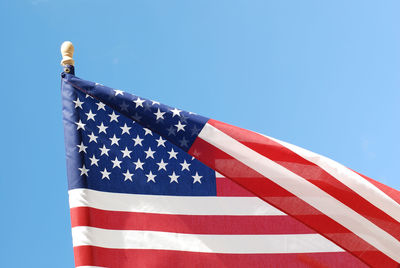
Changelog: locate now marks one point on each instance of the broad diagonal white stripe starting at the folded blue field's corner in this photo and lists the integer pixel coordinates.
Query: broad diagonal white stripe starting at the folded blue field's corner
(305, 191)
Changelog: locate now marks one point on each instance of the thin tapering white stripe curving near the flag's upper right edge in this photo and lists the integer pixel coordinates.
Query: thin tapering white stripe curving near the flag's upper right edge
(351, 179)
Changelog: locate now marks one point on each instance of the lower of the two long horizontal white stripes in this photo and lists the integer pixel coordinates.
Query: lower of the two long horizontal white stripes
(132, 239)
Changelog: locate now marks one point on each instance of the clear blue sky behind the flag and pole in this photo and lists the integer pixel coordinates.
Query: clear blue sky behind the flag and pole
(324, 75)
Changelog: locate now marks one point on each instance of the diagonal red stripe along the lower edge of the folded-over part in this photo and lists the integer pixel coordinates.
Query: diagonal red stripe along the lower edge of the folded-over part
(288, 203)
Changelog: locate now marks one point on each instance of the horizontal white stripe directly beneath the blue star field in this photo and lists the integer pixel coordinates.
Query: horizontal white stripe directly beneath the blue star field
(183, 205)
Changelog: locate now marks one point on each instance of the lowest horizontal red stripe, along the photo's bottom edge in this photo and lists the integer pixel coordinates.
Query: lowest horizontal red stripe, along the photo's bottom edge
(124, 258)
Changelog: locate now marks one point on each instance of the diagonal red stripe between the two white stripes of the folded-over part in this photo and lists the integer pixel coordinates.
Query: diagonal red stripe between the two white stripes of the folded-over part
(312, 173)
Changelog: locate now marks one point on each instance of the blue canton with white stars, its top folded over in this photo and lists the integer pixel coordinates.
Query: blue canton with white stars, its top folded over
(117, 146)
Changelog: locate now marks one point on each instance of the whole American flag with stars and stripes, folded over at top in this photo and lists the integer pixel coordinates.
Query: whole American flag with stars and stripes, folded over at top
(155, 186)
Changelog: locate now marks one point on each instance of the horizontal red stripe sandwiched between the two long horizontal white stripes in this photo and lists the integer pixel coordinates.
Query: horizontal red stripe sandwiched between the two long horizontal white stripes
(189, 224)
